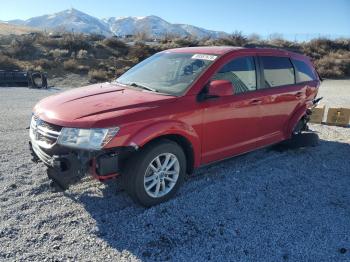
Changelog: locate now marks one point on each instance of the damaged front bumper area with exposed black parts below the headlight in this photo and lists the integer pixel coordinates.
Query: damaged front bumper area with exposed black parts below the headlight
(67, 166)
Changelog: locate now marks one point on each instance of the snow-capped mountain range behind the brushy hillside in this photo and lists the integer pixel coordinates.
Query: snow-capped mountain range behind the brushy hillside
(77, 21)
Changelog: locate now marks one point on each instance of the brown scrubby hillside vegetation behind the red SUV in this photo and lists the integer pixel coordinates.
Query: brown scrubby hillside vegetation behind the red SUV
(106, 58)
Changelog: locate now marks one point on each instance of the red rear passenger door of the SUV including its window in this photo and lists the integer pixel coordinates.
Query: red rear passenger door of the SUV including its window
(279, 96)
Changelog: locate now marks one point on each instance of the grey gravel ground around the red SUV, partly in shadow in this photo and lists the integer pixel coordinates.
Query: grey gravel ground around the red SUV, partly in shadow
(262, 206)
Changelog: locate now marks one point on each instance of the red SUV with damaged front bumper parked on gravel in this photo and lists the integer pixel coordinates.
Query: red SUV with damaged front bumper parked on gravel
(175, 111)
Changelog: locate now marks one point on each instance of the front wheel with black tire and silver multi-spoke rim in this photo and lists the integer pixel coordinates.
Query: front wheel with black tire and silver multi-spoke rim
(155, 173)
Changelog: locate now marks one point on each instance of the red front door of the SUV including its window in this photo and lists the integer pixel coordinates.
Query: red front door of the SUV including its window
(230, 124)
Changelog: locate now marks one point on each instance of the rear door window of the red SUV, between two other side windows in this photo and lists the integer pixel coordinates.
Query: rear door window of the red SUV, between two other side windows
(278, 71)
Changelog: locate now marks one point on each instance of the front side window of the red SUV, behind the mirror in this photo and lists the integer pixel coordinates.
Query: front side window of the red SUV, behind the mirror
(241, 72)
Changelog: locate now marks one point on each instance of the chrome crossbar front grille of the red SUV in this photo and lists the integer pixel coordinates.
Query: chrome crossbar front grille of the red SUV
(44, 134)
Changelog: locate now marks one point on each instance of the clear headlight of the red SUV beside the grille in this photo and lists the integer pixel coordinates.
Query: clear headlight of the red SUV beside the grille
(93, 139)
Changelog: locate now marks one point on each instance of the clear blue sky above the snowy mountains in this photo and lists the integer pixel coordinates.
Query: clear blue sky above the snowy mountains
(291, 18)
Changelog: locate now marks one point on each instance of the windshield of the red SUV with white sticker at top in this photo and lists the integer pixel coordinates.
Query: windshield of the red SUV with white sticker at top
(170, 73)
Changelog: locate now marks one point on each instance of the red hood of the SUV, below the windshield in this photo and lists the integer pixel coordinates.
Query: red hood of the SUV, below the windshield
(85, 106)
